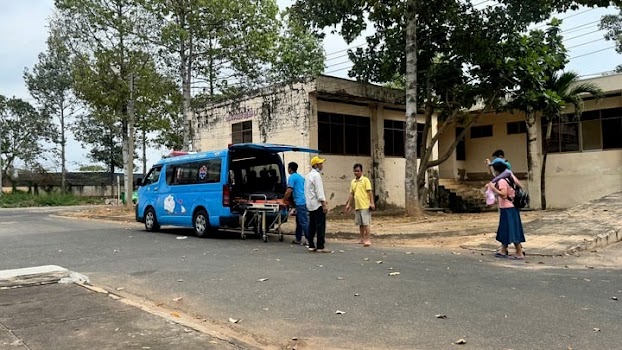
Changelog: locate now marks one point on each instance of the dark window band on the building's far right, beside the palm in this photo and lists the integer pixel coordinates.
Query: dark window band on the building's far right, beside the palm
(594, 130)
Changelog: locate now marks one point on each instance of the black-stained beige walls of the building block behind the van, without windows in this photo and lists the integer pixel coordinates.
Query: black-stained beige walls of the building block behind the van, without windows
(291, 114)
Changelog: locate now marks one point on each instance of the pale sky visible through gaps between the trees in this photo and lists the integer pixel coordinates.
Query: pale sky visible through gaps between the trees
(23, 33)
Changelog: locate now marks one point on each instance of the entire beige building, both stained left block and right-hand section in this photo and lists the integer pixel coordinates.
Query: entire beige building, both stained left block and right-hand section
(351, 122)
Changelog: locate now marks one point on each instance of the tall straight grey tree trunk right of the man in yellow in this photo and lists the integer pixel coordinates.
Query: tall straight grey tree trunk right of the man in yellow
(412, 204)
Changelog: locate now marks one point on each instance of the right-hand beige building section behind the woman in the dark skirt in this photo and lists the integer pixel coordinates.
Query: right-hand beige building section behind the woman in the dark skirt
(584, 159)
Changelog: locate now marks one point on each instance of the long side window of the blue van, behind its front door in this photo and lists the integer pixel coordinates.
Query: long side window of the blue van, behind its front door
(205, 171)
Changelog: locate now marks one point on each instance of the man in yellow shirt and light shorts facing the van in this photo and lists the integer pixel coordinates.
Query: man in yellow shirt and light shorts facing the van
(361, 194)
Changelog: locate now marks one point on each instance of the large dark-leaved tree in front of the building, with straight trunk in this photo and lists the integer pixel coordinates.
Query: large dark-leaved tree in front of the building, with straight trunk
(412, 38)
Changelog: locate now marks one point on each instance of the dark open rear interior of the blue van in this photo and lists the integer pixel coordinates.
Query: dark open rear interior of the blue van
(256, 173)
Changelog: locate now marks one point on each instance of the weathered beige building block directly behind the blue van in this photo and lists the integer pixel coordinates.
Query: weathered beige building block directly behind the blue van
(349, 122)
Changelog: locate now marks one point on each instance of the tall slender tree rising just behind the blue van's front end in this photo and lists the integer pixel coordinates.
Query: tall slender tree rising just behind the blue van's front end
(111, 62)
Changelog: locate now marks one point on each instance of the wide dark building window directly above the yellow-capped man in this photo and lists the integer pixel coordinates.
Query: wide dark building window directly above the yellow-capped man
(344, 134)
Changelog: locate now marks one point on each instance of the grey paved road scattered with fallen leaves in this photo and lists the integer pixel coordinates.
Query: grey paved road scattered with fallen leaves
(552, 303)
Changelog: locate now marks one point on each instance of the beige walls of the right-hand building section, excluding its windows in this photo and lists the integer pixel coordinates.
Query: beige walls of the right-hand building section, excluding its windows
(571, 177)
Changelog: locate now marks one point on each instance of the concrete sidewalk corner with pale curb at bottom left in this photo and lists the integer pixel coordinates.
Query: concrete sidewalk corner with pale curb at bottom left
(37, 312)
